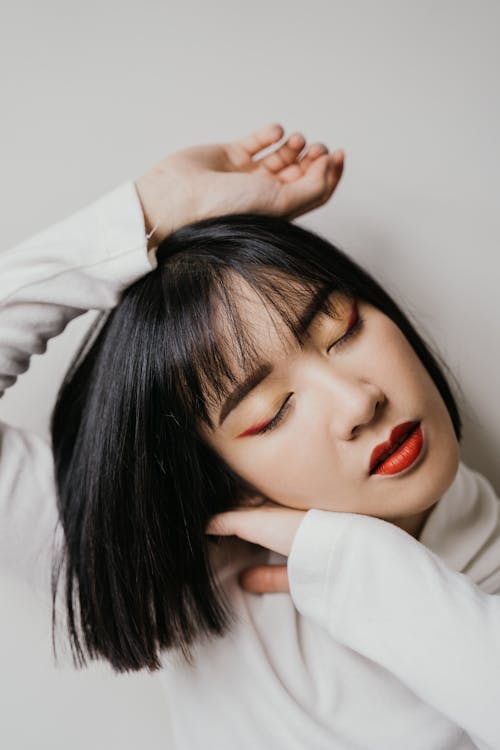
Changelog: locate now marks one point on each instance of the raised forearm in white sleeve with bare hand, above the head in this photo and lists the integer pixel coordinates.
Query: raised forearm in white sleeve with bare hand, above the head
(87, 260)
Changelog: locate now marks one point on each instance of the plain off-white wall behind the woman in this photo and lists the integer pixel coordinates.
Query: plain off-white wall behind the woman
(94, 93)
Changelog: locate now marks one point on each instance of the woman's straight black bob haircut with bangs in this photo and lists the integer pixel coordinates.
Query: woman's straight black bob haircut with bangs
(136, 484)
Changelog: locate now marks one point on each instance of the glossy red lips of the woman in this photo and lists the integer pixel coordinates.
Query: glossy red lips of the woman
(400, 451)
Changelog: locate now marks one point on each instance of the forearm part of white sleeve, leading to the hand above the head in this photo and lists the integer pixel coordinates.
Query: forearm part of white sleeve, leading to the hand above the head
(79, 264)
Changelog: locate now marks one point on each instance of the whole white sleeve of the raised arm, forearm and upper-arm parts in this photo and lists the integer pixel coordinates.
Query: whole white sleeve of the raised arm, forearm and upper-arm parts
(79, 264)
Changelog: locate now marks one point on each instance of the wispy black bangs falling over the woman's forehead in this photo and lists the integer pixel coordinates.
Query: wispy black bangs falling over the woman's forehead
(214, 345)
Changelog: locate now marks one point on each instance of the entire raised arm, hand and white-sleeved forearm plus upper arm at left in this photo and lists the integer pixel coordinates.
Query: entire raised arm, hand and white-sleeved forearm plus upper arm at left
(85, 262)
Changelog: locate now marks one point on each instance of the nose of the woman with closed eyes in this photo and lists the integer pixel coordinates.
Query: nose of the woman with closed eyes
(354, 404)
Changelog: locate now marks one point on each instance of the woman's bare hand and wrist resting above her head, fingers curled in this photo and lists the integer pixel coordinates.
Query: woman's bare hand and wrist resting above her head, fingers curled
(230, 178)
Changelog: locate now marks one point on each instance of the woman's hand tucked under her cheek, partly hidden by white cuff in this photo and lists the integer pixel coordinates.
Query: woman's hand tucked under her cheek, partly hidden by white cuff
(269, 525)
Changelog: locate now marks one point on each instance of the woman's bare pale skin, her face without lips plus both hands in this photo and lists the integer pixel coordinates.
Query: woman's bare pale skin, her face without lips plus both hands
(344, 402)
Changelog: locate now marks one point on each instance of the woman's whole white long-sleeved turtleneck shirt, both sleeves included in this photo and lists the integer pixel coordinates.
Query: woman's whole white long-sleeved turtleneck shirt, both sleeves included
(383, 643)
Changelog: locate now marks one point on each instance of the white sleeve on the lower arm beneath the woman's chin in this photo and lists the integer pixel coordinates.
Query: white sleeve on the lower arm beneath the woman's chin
(377, 590)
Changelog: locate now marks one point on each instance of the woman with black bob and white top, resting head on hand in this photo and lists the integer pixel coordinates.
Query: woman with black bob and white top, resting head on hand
(153, 434)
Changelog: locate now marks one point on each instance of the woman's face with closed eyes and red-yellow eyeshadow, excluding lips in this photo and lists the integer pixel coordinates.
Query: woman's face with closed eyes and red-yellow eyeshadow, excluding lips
(342, 399)
